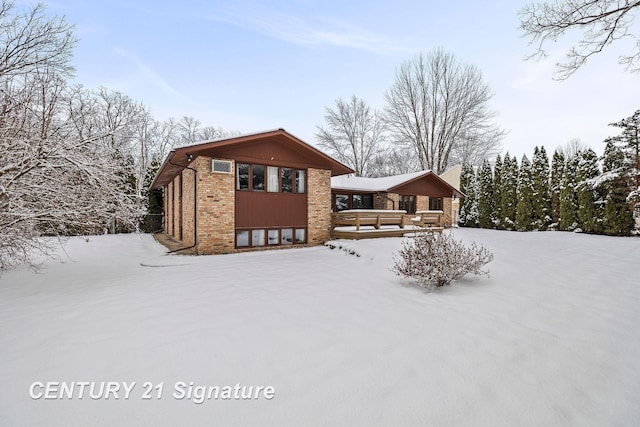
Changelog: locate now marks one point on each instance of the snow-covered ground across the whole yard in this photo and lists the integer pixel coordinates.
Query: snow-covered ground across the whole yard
(551, 338)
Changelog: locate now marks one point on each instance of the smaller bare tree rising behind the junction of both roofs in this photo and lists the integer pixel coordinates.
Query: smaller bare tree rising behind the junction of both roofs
(354, 133)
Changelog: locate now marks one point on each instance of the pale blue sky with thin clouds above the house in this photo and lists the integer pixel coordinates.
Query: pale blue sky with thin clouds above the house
(251, 66)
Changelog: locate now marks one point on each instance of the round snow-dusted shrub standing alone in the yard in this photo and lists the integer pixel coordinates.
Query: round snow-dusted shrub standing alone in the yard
(436, 259)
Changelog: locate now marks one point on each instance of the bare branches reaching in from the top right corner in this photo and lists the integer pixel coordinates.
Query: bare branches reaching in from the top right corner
(600, 22)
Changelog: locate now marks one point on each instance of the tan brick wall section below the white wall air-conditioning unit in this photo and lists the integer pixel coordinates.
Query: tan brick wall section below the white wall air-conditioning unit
(216, 209)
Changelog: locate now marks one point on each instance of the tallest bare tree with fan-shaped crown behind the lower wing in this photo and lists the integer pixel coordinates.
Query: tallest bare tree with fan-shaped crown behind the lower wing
(439, 107)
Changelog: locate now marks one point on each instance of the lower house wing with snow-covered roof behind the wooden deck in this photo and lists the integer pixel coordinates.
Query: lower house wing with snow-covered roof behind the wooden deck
(418, 191)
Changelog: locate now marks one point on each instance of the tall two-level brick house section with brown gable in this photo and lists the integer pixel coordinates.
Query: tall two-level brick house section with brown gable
(251, 191)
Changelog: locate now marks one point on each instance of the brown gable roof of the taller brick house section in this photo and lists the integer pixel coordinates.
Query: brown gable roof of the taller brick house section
(180, 157)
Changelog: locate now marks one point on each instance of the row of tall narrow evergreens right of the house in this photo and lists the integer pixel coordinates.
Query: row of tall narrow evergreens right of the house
(571, 194)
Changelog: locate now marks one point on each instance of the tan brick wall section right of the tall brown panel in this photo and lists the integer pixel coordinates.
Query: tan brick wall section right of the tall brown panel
(318, 206)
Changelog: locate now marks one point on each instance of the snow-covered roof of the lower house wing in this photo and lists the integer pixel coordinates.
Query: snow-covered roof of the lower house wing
(387, 184)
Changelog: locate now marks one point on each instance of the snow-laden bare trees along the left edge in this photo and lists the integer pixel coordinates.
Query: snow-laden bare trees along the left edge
(62, 149)
